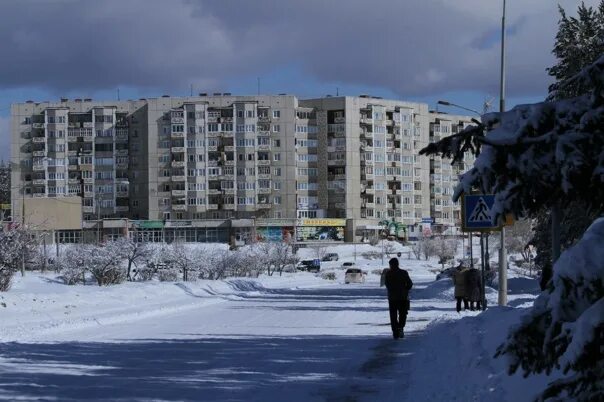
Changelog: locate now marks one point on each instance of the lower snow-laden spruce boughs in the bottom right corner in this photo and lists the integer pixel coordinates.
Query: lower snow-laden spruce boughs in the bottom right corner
(565, 328)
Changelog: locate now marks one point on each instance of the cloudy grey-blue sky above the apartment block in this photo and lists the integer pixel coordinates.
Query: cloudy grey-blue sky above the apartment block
(421, 50)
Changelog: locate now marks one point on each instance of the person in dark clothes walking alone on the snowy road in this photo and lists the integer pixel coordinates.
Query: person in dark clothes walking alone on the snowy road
(398, 284)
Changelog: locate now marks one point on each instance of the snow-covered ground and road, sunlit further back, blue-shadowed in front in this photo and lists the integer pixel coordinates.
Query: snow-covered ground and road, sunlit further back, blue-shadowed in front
(296, 337)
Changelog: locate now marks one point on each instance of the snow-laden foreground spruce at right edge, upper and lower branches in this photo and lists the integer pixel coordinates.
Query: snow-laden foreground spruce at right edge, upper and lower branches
(533, 157)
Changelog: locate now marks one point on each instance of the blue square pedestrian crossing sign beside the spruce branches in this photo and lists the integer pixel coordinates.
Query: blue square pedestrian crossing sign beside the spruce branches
(476, 211)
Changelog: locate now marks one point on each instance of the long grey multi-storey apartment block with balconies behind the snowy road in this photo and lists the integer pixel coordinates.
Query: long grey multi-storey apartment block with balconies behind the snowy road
(210, 168)
